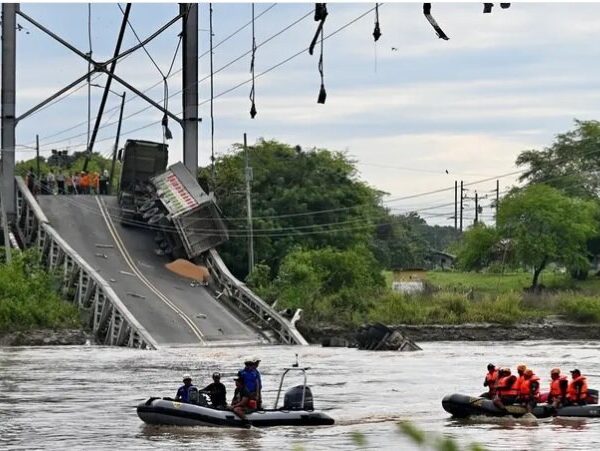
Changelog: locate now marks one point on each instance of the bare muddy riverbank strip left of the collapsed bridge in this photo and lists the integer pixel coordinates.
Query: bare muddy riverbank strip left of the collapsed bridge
(45, 337)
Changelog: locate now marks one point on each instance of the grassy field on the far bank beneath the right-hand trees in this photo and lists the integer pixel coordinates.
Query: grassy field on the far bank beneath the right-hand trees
(457, 298)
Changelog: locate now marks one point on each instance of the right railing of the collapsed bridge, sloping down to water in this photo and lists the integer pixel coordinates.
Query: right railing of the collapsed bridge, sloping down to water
(246, 301)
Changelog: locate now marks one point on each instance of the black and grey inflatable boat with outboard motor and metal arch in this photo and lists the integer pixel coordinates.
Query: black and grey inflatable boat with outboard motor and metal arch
(297, 410)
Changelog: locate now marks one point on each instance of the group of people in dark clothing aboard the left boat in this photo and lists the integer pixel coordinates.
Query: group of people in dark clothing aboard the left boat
(247, 395)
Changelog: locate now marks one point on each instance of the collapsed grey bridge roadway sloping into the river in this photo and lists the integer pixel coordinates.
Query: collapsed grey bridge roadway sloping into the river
(173, 311)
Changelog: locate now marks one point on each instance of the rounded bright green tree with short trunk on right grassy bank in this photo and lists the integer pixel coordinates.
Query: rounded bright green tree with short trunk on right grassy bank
(545, 226)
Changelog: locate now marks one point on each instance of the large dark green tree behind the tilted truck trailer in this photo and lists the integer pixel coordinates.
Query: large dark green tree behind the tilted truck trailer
(300, 198)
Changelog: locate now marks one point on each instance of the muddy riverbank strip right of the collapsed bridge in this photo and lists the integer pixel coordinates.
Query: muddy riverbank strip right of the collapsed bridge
(545, 330)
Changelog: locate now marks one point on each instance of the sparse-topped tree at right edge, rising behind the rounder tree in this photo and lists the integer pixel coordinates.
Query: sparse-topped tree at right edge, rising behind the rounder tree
(571, 164)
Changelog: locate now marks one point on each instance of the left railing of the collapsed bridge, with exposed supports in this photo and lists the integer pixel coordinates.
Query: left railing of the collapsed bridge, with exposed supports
(109, 319)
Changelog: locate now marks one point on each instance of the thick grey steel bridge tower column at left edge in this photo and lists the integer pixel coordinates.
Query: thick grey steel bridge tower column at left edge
(8, 119)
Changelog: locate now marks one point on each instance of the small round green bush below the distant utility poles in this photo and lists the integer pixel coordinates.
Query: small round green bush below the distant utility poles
(478, 248)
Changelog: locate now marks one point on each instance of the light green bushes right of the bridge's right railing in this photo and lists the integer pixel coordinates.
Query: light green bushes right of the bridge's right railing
(329, 284)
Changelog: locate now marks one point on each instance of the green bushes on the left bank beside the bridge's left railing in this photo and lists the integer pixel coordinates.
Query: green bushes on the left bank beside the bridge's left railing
(28, 297)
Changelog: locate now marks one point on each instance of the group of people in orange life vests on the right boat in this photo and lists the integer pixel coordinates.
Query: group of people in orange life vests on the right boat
(504, 388)
